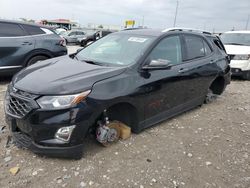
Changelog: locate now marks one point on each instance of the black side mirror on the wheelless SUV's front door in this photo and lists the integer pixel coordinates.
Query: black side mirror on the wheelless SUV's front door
(158, 65)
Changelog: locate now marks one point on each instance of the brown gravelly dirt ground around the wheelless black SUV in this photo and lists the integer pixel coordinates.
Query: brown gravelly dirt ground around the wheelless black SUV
(206, 147)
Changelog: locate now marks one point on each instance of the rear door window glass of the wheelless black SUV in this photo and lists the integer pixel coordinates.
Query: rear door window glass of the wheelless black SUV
(195, 47)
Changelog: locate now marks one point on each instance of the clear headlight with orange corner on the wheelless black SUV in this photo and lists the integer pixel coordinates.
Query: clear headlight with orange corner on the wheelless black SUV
(61, 102)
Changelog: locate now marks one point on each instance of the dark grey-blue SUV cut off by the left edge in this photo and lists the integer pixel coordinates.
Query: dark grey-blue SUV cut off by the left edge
(23, 44)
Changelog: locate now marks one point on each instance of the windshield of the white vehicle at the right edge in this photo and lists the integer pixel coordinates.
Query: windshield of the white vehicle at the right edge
(236, 38)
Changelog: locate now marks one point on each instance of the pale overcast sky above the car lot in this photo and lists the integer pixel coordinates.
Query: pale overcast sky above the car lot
(218, 15)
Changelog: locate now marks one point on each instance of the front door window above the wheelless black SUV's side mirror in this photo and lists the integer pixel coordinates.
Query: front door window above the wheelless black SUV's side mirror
(168, 49)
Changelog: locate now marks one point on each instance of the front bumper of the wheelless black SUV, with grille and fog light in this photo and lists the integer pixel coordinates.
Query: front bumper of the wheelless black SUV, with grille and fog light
(56, 133)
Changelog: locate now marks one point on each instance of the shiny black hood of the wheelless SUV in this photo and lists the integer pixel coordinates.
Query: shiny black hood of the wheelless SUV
(62, 75)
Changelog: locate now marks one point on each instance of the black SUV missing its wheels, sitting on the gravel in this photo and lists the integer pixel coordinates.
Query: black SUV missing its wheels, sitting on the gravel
(136, 77)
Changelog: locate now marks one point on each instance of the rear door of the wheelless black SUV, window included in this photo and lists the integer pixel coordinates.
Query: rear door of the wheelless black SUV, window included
(199, 66)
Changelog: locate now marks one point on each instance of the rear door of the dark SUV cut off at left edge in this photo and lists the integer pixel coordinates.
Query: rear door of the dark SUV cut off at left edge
(15, 44)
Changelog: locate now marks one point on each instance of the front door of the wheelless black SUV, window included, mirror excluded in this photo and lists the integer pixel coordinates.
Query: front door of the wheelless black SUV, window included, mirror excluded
(165, 90)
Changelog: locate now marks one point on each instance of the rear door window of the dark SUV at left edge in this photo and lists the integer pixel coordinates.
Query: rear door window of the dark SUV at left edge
(11, 30)
